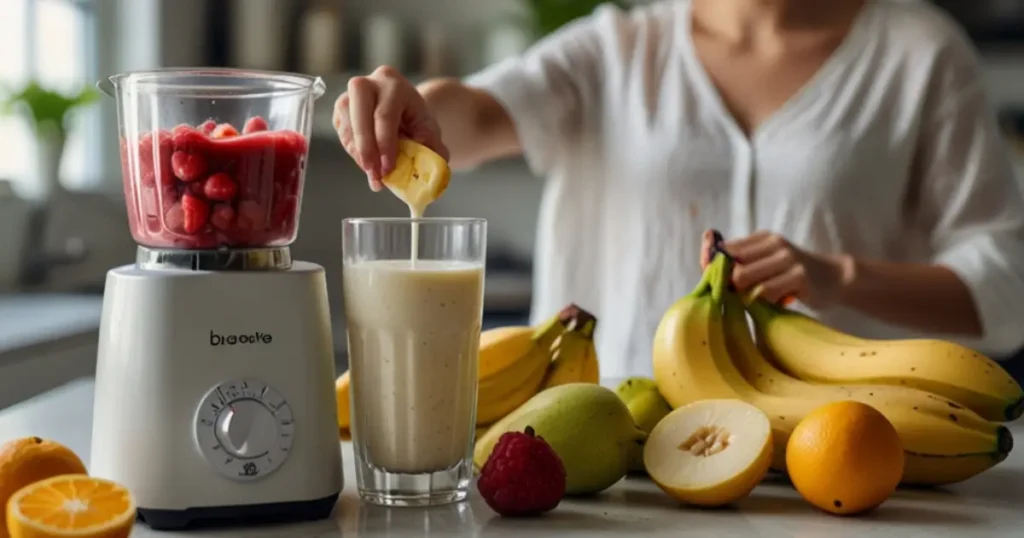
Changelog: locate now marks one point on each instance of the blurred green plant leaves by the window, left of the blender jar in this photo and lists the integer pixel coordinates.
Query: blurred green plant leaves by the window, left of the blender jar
(47, 109)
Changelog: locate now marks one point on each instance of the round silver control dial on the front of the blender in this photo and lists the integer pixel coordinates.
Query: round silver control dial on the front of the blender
(244, 430)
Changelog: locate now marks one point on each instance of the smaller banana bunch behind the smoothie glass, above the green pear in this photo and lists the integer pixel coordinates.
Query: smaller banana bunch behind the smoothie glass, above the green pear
(517, 363)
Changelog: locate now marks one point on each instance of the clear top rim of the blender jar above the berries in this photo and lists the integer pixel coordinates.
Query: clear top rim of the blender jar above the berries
(215, 84)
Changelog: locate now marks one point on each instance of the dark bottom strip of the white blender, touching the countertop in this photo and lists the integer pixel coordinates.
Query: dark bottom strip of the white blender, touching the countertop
(160, 520)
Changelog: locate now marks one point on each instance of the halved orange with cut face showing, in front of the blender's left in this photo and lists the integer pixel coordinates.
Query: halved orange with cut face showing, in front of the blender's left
(72, 506)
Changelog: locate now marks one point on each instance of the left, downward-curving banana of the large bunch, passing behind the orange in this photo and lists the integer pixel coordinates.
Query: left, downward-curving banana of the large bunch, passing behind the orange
(692, 360)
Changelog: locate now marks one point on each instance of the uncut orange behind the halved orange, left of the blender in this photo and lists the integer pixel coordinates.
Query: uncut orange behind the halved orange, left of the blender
(26, 461)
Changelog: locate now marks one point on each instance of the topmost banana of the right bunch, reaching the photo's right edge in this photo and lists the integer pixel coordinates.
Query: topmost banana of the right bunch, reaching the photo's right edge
(814, 352)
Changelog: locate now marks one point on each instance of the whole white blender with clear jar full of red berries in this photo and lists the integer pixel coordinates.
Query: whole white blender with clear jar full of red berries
(215, 396)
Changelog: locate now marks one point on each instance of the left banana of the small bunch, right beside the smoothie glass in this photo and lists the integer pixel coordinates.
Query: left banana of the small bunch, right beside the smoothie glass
(517, 365)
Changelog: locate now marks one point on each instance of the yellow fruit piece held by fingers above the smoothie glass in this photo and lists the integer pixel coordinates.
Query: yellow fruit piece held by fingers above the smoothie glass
(420, 176)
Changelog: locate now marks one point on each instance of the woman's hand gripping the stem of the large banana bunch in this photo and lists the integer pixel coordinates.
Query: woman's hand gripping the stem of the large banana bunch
(772, 268)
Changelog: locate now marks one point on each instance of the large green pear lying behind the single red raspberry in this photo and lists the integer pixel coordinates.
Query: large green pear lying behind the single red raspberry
(586, 425)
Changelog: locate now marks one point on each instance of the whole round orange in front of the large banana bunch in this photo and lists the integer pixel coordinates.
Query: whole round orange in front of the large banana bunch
(845, 459)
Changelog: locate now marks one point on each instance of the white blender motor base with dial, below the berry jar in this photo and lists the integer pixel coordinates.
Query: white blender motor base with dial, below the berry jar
(215, 397)
